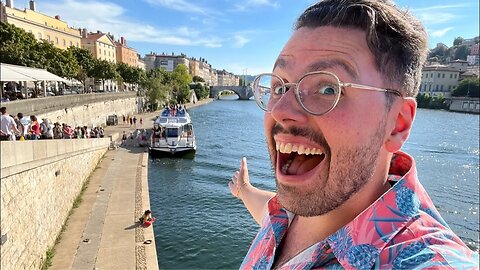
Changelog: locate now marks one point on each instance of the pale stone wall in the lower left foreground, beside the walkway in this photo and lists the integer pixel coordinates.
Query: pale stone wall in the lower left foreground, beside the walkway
(39, 183)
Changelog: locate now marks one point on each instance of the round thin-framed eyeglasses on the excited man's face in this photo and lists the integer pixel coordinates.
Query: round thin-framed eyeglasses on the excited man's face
(317, 92)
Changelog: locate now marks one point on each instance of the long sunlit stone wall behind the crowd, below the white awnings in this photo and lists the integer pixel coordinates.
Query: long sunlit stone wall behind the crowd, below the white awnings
(78, 110)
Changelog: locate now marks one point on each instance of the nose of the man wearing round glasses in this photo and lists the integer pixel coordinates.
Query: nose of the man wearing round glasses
(288, 110)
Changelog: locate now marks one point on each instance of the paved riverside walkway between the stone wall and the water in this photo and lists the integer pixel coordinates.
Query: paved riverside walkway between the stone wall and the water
(104, 231)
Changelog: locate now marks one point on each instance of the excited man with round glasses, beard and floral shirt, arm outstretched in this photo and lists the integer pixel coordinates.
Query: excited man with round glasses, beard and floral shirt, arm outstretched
(339, 106)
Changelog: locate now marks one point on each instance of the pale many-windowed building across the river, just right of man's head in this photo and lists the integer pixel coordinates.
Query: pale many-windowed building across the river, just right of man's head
(439, 80)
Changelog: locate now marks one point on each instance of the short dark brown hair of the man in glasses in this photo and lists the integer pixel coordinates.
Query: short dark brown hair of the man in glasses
(396, 39)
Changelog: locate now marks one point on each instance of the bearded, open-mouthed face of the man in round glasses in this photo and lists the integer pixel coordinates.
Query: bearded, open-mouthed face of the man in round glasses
(321, 161)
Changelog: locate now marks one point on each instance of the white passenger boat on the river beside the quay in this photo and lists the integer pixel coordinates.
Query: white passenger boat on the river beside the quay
(172, 134)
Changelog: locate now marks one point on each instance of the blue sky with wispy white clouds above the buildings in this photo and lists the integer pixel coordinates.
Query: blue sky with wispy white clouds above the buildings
(240, 36)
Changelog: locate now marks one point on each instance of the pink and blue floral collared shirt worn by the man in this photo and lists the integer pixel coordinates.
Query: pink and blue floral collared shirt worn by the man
(400, 230)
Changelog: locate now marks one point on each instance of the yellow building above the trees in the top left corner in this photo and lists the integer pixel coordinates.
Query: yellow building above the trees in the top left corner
(43, 27)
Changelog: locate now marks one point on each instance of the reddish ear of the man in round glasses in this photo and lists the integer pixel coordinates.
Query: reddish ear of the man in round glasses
(403, 125)
